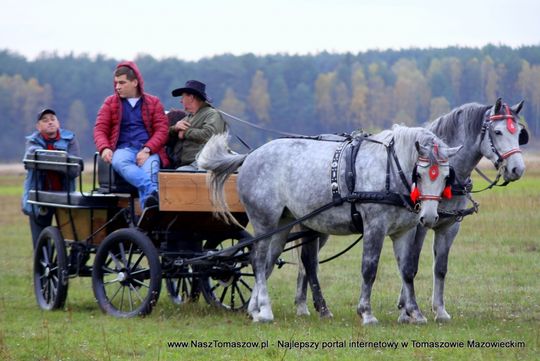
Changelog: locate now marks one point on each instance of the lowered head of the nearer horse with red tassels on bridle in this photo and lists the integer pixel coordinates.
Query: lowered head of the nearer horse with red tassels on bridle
(432, 178)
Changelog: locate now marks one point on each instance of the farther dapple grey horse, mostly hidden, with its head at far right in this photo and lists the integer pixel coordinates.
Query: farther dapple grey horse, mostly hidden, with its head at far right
(484, 131)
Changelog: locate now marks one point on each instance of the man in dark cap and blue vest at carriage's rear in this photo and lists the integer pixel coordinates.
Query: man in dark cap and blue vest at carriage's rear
(48, 135)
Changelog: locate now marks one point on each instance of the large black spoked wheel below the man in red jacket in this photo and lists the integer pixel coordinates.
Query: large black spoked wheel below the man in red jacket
(126, 276)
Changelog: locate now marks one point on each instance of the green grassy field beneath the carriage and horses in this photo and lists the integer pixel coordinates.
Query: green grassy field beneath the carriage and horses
(493, 294)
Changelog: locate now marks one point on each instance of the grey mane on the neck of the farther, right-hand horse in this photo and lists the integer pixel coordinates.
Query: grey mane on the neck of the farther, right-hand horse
(470, 116)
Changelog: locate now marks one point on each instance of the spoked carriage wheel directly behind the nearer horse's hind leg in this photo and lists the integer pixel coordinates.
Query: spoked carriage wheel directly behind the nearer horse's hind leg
(229, 285)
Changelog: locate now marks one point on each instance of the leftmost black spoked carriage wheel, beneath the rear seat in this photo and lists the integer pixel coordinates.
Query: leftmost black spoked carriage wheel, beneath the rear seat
(50, 270)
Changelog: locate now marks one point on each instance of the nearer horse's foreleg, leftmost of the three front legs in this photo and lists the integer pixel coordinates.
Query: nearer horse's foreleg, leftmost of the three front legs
(373, 242)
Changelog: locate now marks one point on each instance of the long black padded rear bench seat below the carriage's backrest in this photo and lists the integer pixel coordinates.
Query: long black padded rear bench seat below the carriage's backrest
(64, 199)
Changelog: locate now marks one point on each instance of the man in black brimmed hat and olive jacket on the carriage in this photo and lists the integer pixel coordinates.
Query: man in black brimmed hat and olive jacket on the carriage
(192, 132)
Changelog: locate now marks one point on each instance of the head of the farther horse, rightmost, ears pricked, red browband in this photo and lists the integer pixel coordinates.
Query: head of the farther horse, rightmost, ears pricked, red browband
(501, 137)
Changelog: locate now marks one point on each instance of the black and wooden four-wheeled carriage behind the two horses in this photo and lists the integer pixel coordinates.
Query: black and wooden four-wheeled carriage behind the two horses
(103, 234)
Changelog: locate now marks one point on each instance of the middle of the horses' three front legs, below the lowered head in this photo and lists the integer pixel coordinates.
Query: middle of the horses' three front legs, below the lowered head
(407, 248)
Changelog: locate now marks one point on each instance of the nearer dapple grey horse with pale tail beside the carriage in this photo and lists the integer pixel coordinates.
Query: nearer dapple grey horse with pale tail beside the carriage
(286, 179)
